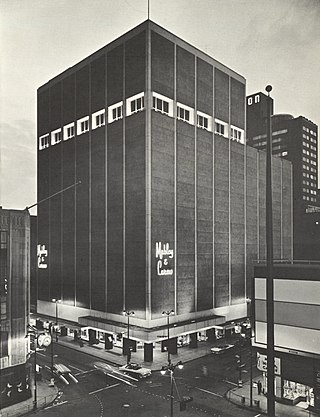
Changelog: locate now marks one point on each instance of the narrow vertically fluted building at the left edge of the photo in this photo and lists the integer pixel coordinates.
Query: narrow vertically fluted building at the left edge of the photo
(14, 303)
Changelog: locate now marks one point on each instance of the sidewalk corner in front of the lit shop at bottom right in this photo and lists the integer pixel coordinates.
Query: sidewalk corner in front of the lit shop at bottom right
(241, 397)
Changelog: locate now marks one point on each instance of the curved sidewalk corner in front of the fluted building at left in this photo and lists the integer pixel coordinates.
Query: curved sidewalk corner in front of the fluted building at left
(45, 396)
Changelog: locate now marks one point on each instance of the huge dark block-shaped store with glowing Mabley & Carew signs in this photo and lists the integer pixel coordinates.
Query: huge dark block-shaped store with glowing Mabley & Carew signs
(169, 212)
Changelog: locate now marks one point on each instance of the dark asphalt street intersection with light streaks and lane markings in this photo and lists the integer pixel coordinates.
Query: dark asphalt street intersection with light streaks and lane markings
(96, 395)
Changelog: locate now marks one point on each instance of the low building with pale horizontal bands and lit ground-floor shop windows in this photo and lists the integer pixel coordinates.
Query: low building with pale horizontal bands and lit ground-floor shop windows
(296, 331)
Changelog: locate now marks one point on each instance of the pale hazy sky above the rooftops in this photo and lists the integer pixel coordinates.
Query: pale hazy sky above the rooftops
(273, 42)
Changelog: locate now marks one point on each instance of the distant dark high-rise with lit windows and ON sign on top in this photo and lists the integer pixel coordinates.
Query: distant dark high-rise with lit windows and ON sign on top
(294, 139)
